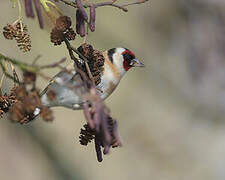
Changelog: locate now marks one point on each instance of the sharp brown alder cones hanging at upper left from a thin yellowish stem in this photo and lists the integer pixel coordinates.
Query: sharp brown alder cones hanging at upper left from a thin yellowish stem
(18, 31)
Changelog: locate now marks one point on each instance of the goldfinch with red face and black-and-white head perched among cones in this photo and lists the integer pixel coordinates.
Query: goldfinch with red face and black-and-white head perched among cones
(117, 62)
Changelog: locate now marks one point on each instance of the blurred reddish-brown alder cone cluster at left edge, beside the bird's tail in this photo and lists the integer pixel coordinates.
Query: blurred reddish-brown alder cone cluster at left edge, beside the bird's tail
(22, 102)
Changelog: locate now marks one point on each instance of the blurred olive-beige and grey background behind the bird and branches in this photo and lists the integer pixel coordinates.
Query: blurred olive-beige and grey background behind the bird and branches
(170, 114)
